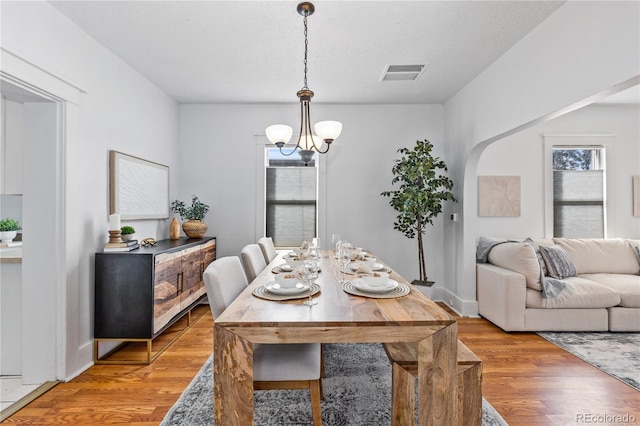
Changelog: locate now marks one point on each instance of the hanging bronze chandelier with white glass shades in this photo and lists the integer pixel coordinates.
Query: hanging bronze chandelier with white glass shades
(326, 131)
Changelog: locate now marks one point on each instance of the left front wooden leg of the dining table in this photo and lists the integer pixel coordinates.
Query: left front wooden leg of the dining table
(232, 379)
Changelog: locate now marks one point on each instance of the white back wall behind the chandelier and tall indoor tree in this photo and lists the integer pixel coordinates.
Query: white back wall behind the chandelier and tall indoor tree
(218, 163)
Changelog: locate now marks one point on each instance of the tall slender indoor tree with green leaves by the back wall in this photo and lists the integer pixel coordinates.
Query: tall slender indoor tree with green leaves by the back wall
(423, 189)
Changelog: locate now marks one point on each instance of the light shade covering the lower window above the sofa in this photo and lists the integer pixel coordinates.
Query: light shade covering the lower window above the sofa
(578, 203)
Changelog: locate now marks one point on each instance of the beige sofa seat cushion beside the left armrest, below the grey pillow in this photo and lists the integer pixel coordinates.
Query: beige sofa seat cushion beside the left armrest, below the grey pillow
(579, 293)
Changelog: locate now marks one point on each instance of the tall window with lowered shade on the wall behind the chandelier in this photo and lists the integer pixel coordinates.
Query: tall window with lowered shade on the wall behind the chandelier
(291, 199)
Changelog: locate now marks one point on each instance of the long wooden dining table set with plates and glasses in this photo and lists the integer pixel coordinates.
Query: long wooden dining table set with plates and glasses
(339, 317)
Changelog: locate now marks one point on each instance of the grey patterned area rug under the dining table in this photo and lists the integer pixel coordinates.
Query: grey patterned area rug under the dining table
(356, 389)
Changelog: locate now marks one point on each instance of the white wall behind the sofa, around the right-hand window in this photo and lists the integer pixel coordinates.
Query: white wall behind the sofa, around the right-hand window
(522, 155)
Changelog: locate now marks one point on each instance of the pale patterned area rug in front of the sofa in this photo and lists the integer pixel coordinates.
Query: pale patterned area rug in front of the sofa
(617, 354)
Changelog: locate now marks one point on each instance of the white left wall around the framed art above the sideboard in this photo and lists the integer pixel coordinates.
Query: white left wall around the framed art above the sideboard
(120, 110)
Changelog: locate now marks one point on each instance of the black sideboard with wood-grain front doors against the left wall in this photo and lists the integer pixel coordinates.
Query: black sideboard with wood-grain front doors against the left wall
(139, 294)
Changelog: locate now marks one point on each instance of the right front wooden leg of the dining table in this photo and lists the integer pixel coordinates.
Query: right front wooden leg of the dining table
(437, 378)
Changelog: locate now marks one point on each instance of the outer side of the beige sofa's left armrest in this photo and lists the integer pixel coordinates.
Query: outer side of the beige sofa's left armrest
(501, 296)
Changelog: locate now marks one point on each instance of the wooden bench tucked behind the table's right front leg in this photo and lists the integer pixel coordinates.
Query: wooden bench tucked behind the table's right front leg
(403, 358)
